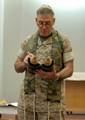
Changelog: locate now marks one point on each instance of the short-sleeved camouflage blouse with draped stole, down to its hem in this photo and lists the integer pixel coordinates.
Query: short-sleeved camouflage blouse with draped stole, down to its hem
(37, 91)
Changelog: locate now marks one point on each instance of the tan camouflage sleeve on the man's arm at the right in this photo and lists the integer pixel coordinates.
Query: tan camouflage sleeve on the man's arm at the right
(68, 53)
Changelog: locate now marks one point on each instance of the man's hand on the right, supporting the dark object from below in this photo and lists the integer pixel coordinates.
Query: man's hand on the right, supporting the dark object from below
(47, 75)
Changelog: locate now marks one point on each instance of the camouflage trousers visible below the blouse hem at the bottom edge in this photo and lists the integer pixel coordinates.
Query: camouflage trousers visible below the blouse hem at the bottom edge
(40, 116)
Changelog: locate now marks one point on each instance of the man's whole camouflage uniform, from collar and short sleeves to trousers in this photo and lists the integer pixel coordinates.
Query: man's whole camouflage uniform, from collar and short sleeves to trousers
(43, 99)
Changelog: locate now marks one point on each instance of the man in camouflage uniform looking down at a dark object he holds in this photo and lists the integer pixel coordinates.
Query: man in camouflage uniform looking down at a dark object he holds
(42, 92)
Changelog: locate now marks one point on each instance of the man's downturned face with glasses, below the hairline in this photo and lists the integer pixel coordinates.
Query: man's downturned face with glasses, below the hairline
(45, 24)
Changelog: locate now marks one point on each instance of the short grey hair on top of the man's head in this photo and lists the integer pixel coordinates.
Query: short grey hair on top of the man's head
(44, 10)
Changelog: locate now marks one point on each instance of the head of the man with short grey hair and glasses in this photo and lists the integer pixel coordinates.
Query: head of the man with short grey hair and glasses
(45, 20)
